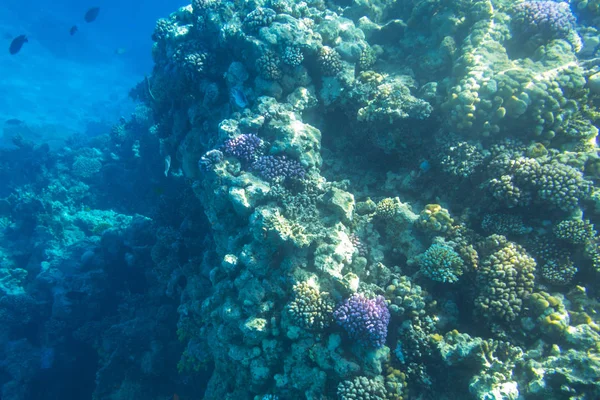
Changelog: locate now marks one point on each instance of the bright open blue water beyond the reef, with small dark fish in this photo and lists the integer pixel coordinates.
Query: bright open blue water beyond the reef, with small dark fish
(60, 83)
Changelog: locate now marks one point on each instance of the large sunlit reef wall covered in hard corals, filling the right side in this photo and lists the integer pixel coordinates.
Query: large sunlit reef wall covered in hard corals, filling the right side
(498, 100)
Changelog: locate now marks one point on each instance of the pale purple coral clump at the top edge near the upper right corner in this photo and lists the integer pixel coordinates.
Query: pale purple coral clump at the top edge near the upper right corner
(553, 20)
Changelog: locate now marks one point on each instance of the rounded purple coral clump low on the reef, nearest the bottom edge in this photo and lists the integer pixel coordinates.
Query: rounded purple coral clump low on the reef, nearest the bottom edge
(365, 320)
